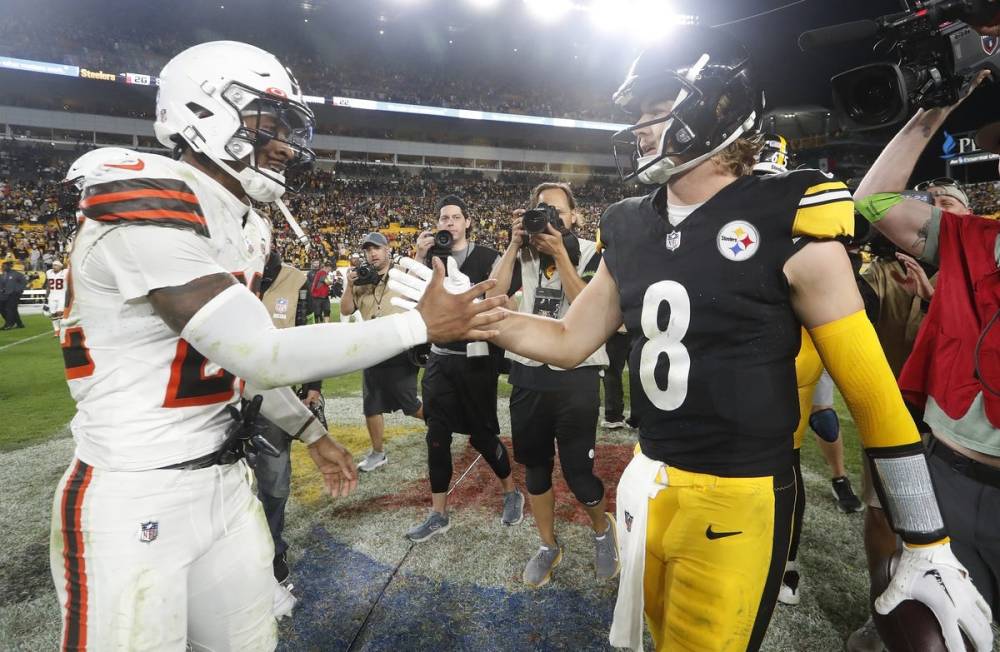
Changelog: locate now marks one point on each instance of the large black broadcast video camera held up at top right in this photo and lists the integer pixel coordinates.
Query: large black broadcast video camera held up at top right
(937, 57)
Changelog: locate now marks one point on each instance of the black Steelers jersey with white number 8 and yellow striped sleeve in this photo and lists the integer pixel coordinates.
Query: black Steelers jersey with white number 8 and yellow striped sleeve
(707, 305)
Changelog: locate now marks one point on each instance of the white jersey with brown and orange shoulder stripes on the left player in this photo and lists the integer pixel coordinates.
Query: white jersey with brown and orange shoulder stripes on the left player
(145, 399)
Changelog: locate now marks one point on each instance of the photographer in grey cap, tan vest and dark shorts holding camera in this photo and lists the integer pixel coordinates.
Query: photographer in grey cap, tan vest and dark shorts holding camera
(390, 385)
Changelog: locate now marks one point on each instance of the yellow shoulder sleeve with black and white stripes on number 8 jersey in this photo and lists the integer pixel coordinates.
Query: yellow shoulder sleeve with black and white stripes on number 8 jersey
(826, 209)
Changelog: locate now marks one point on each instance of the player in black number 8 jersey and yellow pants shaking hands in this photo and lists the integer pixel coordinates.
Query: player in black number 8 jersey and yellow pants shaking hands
(715, 272)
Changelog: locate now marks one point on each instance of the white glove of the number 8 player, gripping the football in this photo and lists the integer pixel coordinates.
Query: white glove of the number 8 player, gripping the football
(933, 576)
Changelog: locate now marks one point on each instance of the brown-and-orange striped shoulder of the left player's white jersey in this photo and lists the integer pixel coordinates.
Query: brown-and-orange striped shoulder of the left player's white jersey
(142, 190)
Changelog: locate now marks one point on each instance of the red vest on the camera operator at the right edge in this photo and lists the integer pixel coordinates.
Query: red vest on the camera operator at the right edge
(943, 361)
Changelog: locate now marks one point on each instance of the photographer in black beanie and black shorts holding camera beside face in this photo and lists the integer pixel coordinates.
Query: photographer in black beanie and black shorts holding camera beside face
(459, 386)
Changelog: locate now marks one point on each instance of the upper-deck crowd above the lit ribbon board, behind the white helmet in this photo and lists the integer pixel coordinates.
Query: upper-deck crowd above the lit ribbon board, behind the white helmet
(454, 83)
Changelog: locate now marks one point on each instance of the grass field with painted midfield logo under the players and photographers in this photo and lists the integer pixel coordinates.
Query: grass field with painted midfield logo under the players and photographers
(362, 586)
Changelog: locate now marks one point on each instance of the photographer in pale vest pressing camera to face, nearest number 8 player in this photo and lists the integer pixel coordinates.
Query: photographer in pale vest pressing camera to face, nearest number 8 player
(549, 405)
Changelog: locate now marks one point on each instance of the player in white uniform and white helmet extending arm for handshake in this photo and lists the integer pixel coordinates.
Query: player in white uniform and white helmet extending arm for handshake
(157, 539)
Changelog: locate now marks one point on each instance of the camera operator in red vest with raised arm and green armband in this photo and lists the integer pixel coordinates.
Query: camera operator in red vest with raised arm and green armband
(953, 371)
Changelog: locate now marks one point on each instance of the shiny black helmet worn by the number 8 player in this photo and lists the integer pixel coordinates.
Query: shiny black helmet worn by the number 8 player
(717, 98)
